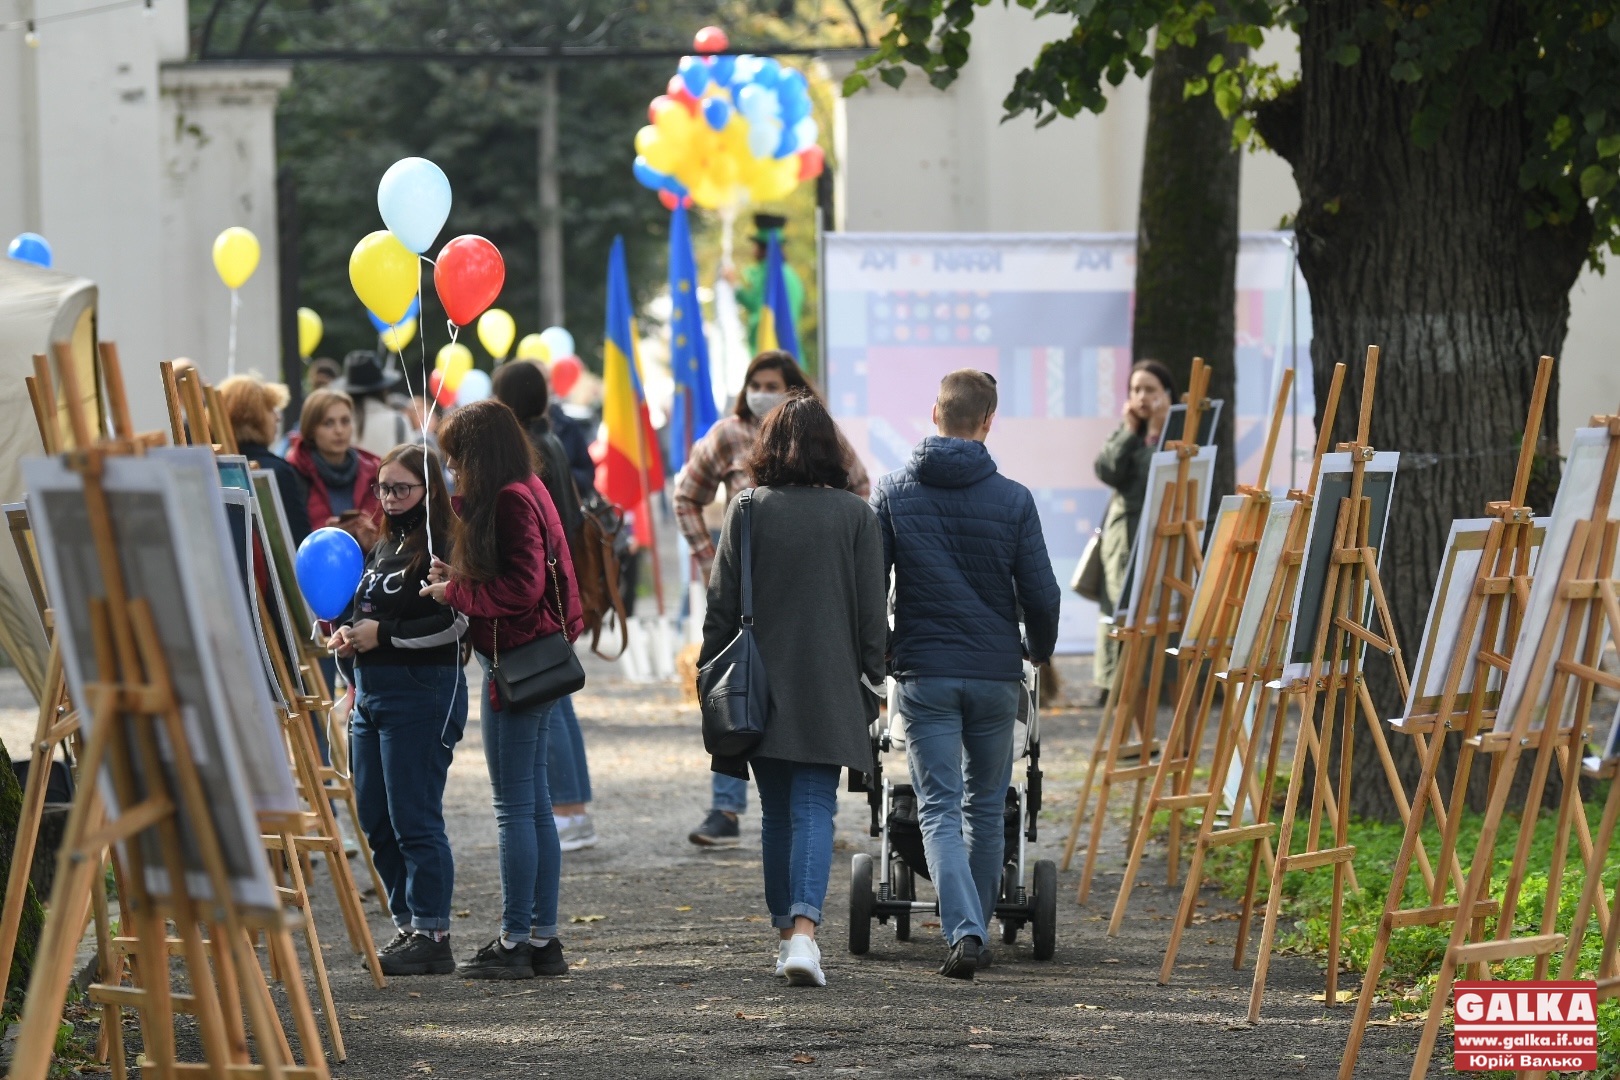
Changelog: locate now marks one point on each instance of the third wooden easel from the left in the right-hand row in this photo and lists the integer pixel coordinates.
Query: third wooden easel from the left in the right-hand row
(1251, 676)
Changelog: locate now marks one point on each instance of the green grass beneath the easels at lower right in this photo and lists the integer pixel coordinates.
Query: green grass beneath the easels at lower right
(1415, 953)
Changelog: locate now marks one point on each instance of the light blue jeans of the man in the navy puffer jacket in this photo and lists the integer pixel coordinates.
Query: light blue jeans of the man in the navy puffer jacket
(960, 749)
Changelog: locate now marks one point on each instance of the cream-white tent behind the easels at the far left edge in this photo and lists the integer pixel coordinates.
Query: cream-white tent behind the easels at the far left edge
(38, 310)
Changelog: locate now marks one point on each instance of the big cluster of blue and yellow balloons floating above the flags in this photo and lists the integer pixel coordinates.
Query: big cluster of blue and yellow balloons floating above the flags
(728, 129)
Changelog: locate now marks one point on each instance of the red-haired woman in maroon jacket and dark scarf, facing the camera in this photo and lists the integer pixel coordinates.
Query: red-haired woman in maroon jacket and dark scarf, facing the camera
(341, 475)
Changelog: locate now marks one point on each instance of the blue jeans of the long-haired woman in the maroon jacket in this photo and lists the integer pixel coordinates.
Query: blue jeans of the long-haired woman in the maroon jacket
(531, 856)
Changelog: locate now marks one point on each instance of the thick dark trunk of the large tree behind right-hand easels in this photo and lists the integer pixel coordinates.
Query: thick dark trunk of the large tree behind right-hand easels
(1425, 253)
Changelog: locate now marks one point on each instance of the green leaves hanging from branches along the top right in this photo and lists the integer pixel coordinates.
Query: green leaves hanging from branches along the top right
(1561, 74)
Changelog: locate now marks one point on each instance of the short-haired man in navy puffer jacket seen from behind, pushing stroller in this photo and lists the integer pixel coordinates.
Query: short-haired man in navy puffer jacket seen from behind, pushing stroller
(970, 561)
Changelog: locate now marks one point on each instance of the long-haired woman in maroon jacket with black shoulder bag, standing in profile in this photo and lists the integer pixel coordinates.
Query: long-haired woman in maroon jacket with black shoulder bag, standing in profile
(513, 577)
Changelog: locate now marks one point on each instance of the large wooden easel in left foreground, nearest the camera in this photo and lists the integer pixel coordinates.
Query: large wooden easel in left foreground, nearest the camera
(134, 715)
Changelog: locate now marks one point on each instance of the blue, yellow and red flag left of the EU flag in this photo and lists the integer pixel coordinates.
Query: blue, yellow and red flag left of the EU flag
(631, 467)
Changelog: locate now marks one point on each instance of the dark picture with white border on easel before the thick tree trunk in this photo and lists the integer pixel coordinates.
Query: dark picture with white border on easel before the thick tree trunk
(1332, 487)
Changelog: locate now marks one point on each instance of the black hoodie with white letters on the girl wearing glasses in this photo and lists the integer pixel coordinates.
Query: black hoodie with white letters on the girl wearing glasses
(412, 629)
